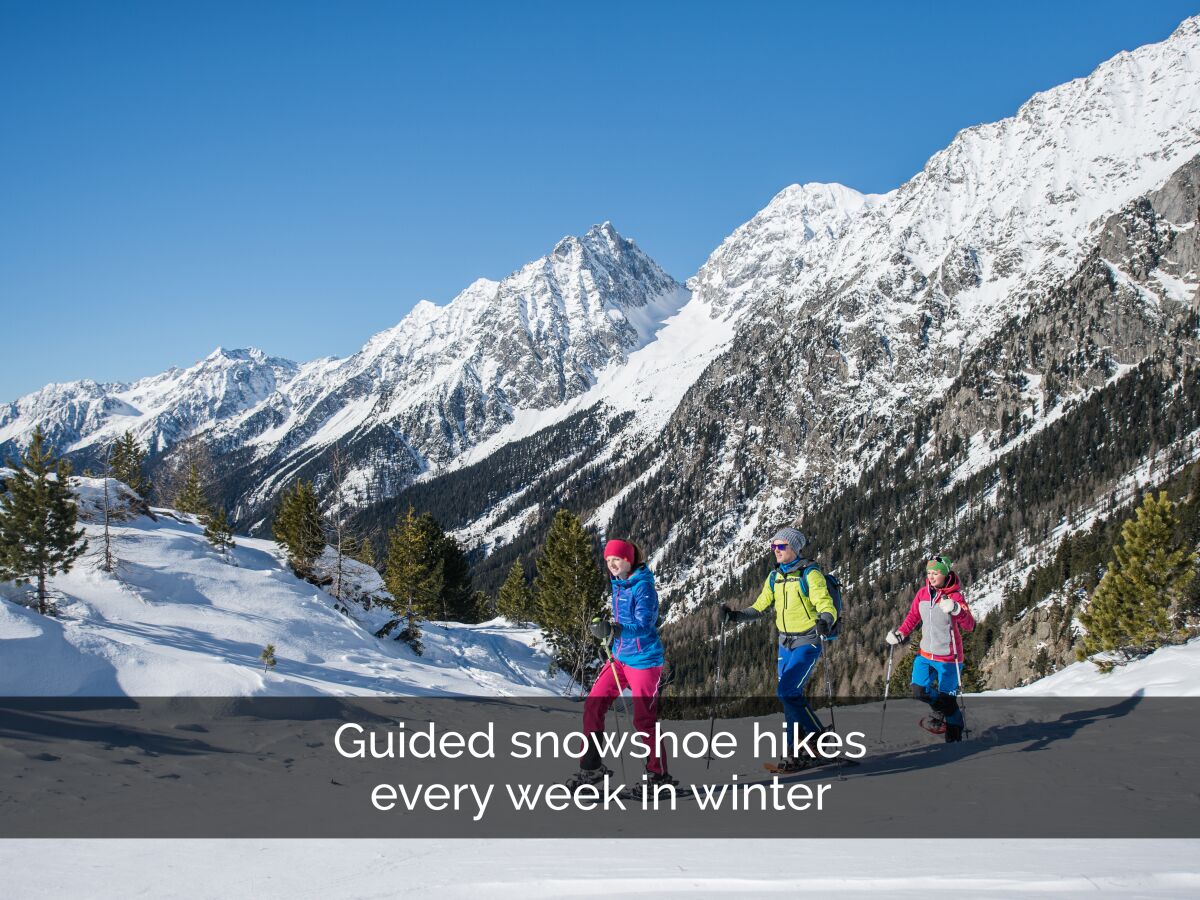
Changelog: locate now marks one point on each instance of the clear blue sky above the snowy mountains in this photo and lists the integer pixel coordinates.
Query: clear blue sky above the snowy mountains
(296, 176)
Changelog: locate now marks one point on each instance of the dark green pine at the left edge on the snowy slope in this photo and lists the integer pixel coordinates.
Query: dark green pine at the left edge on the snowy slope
(38, 520)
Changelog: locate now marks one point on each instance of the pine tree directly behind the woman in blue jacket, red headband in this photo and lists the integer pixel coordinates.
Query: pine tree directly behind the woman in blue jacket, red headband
(571, 591)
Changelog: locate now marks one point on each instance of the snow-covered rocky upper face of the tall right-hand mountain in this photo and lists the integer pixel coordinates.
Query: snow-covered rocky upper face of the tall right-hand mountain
(855, 314)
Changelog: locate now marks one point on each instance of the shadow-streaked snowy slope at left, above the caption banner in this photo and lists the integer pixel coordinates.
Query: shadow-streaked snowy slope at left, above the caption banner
(178, 620)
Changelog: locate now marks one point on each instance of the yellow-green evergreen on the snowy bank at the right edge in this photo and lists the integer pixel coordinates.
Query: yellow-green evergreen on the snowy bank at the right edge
(1137, 605)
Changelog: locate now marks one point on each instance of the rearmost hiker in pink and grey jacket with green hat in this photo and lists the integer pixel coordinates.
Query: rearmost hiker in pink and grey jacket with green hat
(944, 617)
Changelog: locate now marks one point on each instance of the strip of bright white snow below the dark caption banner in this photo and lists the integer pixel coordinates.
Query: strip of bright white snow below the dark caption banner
(503, 869)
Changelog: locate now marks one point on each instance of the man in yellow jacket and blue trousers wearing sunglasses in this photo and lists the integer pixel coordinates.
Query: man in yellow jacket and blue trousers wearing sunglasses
(805, 615)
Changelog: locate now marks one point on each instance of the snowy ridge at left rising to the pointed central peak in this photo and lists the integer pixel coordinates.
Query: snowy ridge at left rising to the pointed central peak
(412, 400)
